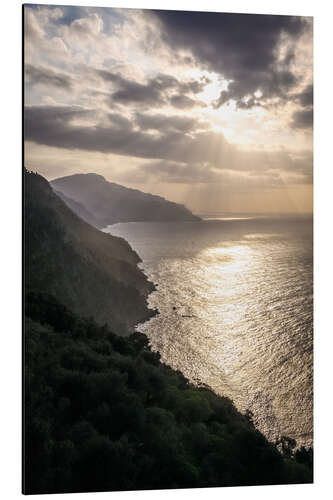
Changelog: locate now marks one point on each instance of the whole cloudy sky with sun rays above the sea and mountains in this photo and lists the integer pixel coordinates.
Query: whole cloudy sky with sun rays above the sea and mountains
(208, 109)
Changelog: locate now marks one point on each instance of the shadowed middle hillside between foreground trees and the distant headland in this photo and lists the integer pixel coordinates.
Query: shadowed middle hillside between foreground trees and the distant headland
(92, 273)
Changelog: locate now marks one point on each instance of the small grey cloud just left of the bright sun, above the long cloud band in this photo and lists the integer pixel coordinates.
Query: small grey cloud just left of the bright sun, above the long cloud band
(156, 92)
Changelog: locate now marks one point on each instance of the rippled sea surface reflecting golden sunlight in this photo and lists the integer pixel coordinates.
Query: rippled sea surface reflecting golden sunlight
(236, 310)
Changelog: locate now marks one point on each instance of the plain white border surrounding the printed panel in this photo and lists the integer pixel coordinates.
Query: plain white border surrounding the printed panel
(10, 363)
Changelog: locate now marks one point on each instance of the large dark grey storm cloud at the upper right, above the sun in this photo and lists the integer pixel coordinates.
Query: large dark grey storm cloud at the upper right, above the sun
(241, 47)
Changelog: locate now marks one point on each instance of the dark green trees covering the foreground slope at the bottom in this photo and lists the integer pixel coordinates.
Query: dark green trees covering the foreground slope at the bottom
(103, 413)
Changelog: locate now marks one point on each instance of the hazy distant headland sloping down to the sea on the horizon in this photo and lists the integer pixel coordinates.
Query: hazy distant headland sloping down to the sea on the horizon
(109, 202)
